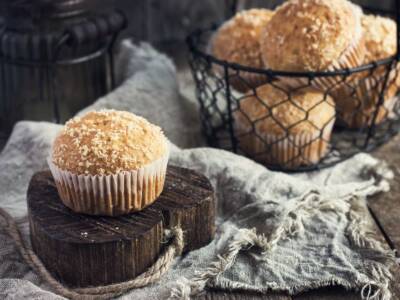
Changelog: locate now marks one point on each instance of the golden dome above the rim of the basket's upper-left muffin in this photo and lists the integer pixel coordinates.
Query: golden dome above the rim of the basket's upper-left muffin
(238, 40)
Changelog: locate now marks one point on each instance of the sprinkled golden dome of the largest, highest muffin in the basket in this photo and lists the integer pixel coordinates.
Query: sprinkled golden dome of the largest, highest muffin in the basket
(315, 37)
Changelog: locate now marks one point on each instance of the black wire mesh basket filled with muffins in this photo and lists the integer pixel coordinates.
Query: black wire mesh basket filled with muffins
(365, 118)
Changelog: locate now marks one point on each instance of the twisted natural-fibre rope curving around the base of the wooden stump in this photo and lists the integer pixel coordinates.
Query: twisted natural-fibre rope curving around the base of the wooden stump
(151, 275)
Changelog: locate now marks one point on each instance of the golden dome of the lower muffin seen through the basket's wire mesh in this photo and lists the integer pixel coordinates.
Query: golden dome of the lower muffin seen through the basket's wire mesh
(272, 111)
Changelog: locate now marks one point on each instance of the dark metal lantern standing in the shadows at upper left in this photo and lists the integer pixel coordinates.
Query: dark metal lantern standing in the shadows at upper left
(55, 58)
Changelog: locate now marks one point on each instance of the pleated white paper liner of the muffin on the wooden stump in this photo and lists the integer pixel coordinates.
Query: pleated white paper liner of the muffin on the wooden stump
(111, 195)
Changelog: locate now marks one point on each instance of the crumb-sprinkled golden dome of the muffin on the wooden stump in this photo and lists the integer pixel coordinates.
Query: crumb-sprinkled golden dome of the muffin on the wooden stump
(107, 142)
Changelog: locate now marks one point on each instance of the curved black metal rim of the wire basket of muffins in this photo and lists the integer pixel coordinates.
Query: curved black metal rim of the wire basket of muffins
(193, 43)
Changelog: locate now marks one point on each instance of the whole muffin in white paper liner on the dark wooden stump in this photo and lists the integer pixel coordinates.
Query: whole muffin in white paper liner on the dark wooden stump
(109, 163)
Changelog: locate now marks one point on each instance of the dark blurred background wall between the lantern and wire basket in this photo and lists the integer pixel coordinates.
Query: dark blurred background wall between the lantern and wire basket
(170, 20)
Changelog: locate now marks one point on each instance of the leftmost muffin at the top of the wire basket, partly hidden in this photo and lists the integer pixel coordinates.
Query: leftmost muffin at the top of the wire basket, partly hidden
(238, 41)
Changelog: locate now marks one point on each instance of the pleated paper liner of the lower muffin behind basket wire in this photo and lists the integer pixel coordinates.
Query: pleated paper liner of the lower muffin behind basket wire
(291, 151)
